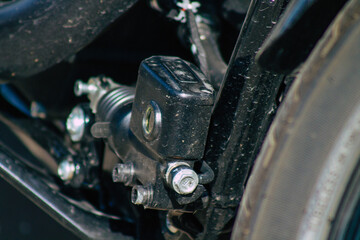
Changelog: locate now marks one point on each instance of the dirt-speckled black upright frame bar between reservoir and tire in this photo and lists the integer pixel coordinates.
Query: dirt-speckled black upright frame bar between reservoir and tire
(241, 117)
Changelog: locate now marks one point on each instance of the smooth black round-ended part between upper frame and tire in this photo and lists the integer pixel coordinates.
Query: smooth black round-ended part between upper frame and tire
(294, 37)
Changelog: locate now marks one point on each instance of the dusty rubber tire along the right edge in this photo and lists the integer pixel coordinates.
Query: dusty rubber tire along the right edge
(313, 145)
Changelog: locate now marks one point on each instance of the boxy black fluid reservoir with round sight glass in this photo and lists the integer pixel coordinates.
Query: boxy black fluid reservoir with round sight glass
(172, 108)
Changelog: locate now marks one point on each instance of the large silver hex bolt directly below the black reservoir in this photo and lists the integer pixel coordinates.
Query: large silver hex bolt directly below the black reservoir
(182, 178)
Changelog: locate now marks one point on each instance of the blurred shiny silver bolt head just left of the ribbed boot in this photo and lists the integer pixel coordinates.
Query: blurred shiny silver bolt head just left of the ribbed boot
(75, 124)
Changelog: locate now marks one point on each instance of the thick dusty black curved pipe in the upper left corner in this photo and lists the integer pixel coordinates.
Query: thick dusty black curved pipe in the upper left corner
(36, 34)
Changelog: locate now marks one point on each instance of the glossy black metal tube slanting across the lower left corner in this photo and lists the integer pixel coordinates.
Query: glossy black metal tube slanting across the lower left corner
(32, 185)
